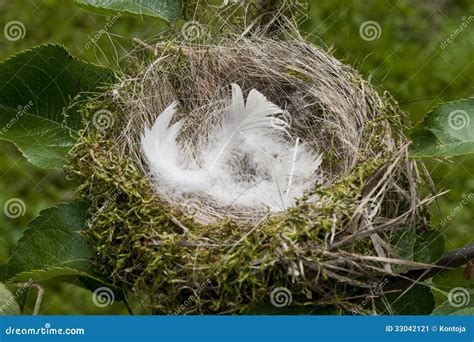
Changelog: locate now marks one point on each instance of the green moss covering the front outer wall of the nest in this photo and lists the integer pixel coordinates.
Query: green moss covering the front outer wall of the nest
(141, 248)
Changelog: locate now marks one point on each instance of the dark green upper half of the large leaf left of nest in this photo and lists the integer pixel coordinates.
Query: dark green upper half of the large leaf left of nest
(50, 78)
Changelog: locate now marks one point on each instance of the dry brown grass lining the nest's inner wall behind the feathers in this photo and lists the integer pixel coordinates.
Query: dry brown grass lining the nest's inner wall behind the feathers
(329, 105)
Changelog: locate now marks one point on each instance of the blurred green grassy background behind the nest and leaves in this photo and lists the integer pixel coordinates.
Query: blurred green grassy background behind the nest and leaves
(407, 59)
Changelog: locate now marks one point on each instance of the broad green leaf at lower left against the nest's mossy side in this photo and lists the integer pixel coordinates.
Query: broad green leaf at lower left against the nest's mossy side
(52, 246)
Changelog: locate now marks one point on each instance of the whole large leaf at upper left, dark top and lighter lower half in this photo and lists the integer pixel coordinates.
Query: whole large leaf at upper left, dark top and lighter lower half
(36, 87)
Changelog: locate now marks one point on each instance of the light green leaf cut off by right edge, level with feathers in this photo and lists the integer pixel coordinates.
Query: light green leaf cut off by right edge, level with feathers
(448, 130)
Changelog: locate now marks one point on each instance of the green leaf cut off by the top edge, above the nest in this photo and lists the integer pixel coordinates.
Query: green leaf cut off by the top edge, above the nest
(168, 10)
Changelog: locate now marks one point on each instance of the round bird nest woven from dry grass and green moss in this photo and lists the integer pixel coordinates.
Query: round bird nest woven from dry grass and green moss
(187, 251)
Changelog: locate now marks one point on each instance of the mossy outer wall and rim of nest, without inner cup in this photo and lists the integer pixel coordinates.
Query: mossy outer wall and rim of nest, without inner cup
(376, 191)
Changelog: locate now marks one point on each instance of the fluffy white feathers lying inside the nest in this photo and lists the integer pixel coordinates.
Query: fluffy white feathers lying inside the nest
(247, 160)
